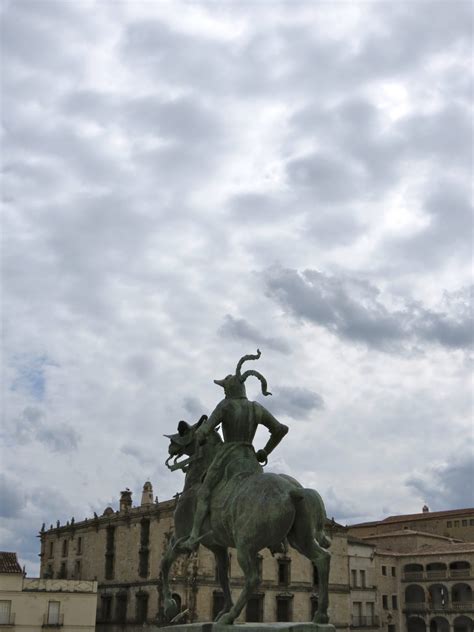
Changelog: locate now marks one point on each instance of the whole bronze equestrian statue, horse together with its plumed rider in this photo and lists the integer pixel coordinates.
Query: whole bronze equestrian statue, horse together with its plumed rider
(225, 483)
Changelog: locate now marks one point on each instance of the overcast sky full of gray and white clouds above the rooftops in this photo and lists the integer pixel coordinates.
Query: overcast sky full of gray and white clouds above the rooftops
(186, 182)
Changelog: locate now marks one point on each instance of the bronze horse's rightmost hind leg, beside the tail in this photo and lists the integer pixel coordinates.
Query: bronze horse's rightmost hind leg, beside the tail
(302, 538)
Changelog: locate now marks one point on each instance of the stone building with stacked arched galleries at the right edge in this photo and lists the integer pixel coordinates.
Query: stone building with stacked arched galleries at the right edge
(425, 581)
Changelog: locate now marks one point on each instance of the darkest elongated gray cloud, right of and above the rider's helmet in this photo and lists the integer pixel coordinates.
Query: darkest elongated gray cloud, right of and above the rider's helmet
(352, 309)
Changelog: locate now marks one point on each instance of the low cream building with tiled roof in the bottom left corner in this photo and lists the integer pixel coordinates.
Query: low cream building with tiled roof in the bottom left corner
(36, 604)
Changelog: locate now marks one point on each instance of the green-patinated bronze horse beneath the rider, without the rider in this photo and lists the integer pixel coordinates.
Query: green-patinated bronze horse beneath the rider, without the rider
(249, 510)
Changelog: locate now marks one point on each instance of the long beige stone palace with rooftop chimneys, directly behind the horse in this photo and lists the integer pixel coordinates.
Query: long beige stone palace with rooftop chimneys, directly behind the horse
(122, 550)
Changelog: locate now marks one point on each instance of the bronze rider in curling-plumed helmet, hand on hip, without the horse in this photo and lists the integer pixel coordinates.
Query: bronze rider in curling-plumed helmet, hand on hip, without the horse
(239, 418)
